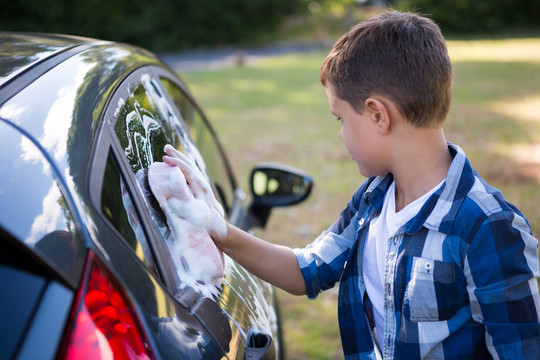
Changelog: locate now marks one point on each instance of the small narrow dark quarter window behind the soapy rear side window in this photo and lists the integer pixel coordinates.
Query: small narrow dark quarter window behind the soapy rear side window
(117, 206)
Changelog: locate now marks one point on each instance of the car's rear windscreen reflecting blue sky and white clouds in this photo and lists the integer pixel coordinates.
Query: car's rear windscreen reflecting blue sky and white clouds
(42, 217)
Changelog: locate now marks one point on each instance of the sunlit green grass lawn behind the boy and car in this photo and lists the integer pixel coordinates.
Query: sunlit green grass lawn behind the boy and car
(276, 110)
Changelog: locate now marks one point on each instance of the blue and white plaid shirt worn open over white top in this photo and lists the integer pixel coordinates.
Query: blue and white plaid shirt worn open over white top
(460, 276)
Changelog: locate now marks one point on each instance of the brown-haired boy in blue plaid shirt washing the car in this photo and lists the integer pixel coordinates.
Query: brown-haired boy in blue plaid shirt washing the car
(432, 262)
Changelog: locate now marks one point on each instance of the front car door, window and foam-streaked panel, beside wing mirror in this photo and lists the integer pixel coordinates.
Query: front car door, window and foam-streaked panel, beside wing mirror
(247, 299)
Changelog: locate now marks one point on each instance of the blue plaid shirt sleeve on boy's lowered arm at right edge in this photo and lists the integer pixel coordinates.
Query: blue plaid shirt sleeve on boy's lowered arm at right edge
(502, 270)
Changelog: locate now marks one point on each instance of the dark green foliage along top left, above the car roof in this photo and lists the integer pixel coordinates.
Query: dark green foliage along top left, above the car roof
(153, 24)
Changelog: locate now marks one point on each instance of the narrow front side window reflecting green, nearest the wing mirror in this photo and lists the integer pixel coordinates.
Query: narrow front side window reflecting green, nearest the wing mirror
(205, 141)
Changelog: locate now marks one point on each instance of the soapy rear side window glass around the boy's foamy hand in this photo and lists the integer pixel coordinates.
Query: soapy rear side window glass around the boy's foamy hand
(145, 123)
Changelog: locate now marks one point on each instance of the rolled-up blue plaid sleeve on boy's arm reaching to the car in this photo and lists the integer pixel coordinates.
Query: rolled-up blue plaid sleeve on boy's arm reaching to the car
(322, 262)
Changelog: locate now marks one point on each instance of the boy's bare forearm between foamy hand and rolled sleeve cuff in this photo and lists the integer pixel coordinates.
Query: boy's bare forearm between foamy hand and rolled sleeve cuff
(272, 263)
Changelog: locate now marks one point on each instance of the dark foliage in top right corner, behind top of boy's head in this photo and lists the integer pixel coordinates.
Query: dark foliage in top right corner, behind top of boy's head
(479, 16)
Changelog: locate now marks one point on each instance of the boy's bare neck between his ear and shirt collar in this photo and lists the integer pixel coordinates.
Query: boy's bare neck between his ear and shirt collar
(421, 161)
